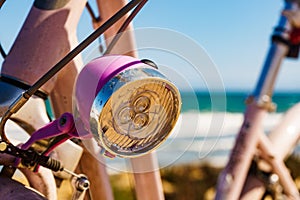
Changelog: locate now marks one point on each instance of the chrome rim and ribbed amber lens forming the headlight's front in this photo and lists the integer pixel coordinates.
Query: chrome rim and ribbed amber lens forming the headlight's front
(134, 112)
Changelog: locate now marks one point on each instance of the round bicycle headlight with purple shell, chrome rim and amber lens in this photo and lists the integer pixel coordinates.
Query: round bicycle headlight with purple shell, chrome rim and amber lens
(128, 106)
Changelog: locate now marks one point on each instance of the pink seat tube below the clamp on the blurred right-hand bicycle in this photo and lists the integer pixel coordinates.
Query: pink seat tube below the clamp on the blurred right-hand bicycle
(232, 178)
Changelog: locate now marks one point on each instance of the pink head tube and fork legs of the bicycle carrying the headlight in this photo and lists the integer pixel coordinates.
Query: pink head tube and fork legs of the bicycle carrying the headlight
(61, 96)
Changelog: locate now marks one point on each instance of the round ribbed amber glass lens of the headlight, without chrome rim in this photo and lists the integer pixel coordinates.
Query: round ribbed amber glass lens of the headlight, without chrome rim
(139, 115)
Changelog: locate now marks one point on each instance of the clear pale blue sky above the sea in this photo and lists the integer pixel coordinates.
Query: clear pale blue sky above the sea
(235, 35)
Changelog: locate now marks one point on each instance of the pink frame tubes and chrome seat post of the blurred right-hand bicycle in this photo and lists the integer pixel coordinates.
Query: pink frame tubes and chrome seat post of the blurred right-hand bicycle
(251, 138)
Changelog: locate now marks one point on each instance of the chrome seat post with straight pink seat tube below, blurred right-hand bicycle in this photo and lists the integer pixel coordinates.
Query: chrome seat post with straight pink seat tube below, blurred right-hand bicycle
(232, 178)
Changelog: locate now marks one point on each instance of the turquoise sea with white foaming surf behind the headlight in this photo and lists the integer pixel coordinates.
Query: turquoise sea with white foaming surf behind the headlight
(207, 127)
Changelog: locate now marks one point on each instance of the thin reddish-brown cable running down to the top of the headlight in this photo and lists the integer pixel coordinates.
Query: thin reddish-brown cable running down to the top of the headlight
(124, 26)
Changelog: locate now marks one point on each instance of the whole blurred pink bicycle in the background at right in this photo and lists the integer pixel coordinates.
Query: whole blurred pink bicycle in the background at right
(252, 147)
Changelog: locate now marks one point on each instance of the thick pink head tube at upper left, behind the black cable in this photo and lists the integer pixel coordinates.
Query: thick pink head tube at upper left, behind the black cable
(36, 56)
